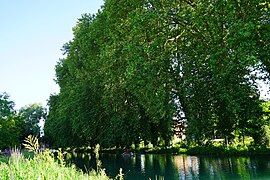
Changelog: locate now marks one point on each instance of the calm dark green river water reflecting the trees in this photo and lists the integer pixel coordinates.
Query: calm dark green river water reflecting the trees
(170, 167)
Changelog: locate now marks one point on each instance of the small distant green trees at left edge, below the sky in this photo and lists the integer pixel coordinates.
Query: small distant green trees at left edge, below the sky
(15, 126)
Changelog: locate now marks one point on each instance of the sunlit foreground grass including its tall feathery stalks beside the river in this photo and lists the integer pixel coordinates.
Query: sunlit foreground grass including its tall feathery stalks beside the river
(42, 165)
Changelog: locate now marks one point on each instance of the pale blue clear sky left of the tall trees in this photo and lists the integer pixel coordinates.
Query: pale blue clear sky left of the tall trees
(32, 33)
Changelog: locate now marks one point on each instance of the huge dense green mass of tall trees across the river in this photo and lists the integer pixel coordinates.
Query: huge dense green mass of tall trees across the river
(135, 67)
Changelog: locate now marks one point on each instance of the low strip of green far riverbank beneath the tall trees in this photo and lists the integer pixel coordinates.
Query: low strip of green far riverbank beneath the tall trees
(183, 148)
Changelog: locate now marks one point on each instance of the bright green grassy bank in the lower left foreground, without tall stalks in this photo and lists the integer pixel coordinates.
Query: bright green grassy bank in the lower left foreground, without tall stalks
(42, 166)
